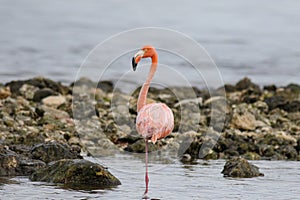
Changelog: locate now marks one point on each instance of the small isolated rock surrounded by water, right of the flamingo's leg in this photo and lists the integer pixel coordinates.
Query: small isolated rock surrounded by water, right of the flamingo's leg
(240, 168)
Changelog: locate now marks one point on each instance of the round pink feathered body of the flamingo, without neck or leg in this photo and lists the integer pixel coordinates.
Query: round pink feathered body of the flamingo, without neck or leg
(155, 121)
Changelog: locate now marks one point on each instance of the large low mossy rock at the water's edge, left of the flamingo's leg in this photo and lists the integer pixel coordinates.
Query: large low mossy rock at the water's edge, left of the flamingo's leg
(78, 172)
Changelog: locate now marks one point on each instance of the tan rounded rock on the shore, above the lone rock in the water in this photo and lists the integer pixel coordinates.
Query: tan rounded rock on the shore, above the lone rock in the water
(245, 121)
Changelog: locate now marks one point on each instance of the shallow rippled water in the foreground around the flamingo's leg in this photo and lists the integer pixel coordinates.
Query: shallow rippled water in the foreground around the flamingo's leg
(171, 181)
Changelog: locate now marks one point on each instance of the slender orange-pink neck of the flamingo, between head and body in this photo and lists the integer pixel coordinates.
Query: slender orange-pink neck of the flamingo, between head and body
(144, 91)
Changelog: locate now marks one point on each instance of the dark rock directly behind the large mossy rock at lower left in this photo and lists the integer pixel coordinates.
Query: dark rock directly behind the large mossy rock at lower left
(48, 152)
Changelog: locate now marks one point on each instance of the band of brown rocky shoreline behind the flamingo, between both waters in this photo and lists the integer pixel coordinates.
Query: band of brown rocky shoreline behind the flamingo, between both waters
(43, 121)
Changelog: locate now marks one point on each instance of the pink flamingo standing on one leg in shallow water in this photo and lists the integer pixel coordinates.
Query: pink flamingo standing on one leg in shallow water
(155, 120)
